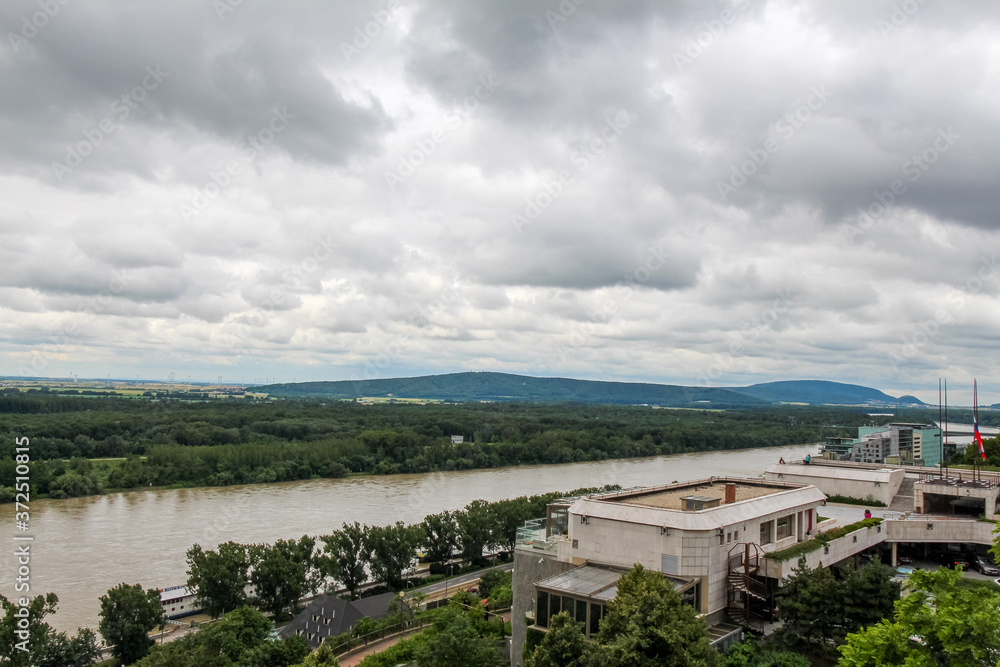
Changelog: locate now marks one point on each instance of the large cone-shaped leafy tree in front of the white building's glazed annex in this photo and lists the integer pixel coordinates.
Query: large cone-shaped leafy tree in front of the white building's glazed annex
(647, 624)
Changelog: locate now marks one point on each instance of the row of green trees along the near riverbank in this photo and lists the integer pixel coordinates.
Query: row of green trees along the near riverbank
(282, 573)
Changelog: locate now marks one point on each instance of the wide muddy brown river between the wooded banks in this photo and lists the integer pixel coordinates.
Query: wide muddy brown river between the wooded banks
(84, 546)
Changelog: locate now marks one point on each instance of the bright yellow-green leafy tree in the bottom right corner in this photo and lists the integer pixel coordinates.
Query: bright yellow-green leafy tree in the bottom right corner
(938, 623)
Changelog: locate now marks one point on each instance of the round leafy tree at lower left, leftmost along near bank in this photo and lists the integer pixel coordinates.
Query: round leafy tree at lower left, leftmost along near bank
(127, 615)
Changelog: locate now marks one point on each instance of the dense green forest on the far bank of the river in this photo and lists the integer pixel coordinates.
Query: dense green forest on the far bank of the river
(82, 446)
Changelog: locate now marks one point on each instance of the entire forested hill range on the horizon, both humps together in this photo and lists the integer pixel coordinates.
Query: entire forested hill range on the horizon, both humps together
(488, 386)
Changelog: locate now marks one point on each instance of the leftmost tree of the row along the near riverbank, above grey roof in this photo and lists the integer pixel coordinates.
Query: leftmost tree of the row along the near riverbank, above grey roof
(219, 576)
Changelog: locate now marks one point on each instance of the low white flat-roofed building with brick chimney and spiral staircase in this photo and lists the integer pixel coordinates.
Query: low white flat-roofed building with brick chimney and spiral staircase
(707, 536)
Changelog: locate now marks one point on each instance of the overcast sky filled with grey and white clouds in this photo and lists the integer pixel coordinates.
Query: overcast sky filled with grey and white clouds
(702, 193)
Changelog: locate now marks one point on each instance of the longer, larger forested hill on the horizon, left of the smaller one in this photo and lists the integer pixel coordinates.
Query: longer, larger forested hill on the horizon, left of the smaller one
(507, 387)
